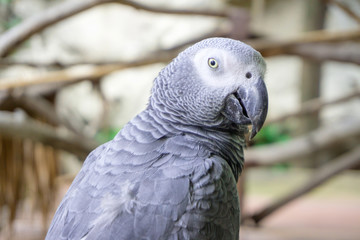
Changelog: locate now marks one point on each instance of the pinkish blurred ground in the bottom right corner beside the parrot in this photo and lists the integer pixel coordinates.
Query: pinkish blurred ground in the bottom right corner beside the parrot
(309, 219)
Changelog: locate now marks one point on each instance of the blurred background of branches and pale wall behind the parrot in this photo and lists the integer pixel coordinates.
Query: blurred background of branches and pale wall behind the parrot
(73, 72)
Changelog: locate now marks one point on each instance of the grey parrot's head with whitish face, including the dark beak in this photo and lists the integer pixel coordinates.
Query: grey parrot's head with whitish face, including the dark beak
(216, 82)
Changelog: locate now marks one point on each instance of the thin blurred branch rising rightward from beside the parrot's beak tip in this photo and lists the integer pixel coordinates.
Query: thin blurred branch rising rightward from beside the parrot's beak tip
(313, 106)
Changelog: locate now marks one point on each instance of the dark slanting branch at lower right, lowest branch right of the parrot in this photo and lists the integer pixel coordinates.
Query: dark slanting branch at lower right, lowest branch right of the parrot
(344, 162)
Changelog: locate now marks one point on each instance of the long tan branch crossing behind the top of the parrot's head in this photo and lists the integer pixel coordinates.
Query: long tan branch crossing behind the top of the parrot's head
(266, 47)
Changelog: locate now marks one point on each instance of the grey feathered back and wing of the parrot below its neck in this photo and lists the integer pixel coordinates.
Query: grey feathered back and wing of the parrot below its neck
(161, 179)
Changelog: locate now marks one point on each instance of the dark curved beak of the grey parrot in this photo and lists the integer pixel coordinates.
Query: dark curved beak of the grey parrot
(248, 105)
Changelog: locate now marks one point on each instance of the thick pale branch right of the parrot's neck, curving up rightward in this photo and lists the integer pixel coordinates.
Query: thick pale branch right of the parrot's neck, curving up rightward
(323, 138)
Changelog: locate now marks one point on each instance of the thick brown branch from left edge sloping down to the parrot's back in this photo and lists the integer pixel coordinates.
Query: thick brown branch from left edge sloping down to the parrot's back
(19, 126)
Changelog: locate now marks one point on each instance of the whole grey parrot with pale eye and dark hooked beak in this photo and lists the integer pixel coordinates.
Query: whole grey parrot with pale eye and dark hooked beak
(171, 172)
